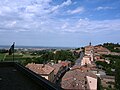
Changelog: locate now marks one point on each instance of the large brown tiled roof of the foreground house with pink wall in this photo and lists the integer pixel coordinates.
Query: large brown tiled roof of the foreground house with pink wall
(76, 79)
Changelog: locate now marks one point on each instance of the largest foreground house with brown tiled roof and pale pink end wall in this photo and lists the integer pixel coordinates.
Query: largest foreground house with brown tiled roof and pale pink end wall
(77, 79)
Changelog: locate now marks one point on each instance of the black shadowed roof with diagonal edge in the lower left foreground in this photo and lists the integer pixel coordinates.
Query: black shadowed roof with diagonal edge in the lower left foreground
(14, 76)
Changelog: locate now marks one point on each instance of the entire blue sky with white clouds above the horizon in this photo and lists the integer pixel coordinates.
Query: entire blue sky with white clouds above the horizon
(61, 23)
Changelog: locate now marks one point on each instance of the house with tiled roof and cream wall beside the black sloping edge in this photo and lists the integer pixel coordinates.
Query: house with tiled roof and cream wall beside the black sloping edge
(44, 70)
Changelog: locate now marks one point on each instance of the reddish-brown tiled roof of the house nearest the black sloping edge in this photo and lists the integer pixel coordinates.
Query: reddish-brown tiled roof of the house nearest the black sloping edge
(40, 68)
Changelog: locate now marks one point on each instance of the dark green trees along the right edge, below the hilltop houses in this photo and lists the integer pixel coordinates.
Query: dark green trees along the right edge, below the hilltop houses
(114, 64)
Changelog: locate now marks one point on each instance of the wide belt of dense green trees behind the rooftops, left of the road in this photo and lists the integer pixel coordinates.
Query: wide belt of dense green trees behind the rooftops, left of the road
(47, 56)
